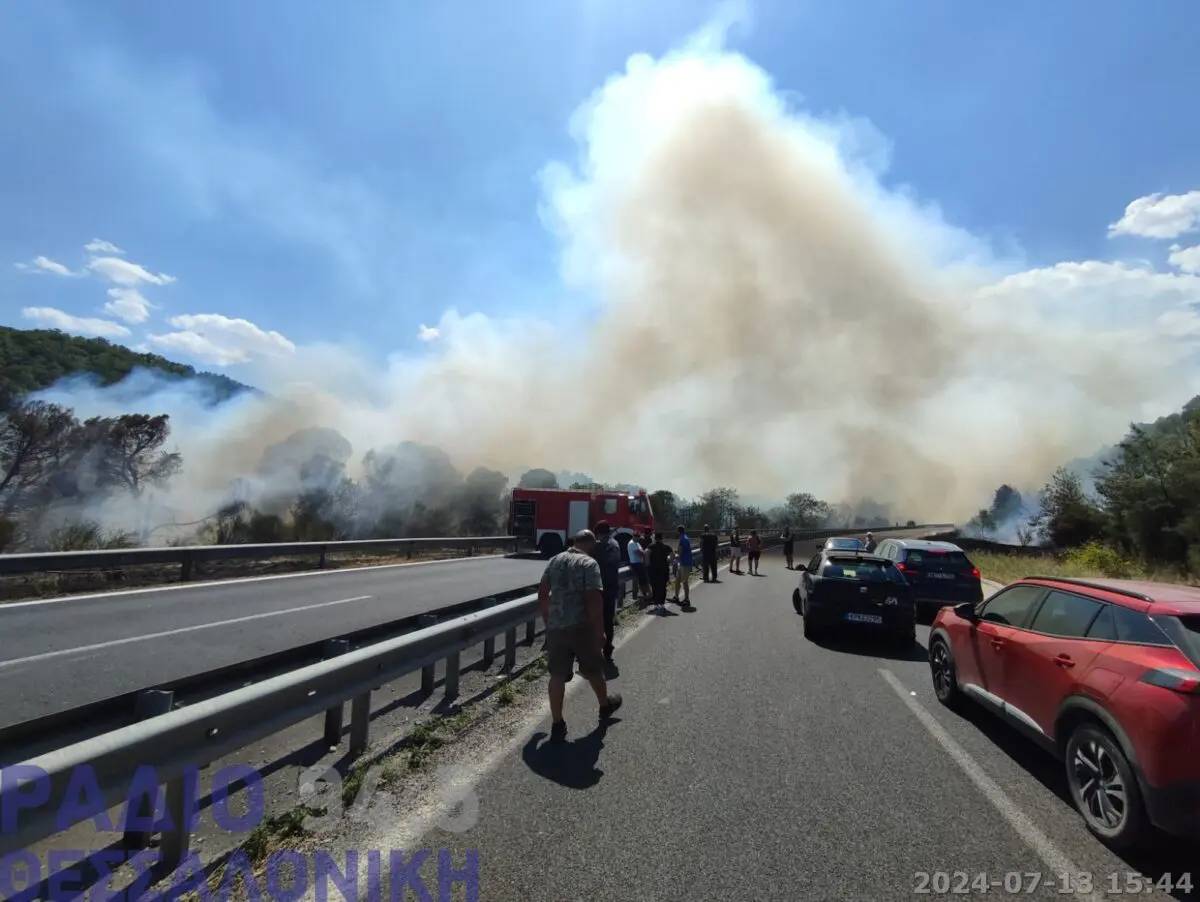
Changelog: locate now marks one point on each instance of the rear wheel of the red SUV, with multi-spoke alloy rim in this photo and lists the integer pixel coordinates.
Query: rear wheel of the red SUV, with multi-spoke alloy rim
(1105, 789)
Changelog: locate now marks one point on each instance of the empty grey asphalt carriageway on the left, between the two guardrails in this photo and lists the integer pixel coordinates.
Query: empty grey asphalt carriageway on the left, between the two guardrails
(59, 654)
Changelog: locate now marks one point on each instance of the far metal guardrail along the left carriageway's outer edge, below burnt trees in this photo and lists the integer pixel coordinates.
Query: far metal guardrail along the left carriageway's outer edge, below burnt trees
(188, 556)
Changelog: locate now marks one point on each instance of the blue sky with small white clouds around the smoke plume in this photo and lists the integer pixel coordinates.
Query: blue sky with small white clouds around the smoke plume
(349, 173)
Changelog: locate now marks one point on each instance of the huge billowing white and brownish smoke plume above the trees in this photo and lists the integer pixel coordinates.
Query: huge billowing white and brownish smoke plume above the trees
(767, 315)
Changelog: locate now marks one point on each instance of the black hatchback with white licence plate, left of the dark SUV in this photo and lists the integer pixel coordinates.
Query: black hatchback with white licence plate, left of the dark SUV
(855, 591)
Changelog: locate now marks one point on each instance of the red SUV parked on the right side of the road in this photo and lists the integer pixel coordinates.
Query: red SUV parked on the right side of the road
(1106, 675)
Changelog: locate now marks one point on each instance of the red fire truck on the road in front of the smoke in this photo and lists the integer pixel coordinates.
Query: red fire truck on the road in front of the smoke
(544, 518)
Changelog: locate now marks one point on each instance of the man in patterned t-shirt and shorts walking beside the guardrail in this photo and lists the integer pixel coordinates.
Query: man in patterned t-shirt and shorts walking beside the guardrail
(572, 606)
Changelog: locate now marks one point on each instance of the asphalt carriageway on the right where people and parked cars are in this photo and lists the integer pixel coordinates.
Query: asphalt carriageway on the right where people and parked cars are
(749, 763)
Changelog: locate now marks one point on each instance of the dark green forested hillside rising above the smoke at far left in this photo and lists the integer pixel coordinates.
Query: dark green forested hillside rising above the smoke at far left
(34, 359)
